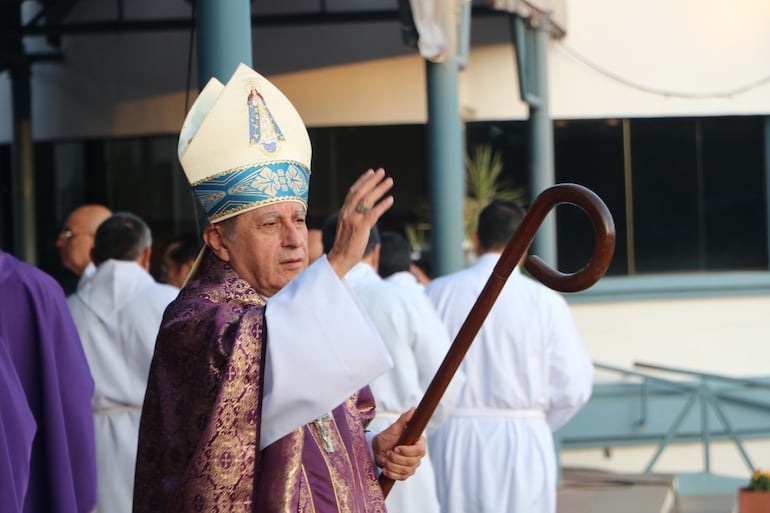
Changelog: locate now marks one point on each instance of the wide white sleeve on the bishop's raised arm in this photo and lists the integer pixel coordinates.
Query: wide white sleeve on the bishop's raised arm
(321, 348)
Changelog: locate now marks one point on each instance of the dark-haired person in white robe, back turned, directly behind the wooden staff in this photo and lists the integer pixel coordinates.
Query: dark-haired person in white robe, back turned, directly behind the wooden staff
(527, 373)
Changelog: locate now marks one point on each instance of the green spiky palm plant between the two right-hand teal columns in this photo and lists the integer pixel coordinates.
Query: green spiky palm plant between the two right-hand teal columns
(483, 184)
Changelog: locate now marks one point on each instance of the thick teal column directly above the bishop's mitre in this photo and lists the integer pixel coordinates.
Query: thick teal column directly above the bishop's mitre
(224, 38)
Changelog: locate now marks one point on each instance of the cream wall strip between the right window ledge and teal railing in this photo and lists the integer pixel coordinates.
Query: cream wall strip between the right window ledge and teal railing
(726, 335)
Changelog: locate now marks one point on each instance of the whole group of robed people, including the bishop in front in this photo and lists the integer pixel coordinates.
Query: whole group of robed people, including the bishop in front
(270, 367)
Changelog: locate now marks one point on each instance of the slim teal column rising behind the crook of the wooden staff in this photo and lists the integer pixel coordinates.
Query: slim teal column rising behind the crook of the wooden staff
(530, 38)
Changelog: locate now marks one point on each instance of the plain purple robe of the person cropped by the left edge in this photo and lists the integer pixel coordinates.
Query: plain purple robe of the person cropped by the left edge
(47, 425)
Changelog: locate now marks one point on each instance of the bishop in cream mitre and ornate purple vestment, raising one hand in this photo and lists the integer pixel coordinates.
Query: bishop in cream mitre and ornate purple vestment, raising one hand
(257, 397)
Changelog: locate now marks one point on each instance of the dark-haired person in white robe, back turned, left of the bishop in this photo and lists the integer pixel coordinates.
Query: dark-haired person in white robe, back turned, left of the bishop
(117, 313)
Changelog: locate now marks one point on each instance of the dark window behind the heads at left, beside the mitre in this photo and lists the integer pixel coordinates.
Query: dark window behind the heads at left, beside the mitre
(140, 175)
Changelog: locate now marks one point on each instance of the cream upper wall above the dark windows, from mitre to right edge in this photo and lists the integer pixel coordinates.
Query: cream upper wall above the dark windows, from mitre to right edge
(642, 58)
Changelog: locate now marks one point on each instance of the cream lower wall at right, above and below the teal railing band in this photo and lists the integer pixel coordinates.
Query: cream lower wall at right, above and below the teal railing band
(727, 336)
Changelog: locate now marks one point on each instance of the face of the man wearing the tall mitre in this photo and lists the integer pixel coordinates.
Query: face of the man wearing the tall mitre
(266, 246)
